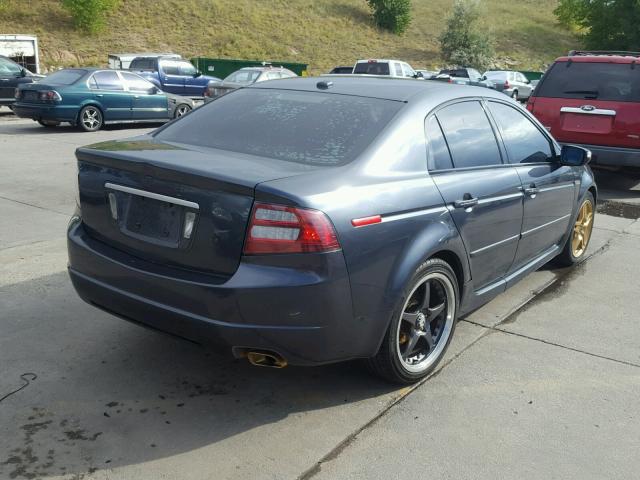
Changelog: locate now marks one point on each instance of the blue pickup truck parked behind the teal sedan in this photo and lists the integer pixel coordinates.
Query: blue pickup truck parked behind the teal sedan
(172, 75)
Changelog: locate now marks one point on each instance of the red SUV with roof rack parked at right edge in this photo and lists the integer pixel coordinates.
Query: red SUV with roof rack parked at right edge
(593, 99)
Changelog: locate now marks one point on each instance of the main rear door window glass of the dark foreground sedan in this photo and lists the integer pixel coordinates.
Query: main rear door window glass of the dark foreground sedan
(469, 135)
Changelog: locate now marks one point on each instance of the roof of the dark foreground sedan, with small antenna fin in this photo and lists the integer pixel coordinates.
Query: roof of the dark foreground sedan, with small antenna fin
(384, 87)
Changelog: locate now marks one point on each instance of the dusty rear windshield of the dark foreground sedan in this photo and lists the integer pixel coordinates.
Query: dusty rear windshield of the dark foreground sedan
(303, 127)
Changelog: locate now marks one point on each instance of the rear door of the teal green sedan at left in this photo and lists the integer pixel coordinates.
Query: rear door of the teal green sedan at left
(108, 89)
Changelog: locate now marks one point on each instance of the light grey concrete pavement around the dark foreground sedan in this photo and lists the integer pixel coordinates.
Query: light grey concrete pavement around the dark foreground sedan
(543, 382)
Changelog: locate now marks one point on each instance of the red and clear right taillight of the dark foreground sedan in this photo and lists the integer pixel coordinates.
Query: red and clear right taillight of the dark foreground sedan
(283, 229)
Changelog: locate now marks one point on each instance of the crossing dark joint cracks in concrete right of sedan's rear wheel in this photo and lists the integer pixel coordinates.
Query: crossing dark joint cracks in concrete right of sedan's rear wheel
(567, 274)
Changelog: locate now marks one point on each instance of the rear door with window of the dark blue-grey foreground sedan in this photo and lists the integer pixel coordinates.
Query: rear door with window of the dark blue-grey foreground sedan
(482, 193)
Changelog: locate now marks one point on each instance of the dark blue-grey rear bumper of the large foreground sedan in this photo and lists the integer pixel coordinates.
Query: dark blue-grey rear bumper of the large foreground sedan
(303, 312)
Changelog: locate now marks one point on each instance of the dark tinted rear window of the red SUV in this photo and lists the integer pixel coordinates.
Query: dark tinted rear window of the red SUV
(596, 81)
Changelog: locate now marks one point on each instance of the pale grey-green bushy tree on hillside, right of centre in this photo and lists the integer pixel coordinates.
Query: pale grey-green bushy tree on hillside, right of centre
(461, 43)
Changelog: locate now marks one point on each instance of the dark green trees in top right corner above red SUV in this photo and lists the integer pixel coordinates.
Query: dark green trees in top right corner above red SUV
(605, 24)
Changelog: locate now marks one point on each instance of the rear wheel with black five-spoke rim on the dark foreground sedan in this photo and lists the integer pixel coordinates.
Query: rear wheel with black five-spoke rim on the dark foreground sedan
(420, 317)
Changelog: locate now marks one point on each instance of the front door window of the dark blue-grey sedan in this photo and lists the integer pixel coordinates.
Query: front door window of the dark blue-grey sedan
(522, 139)
